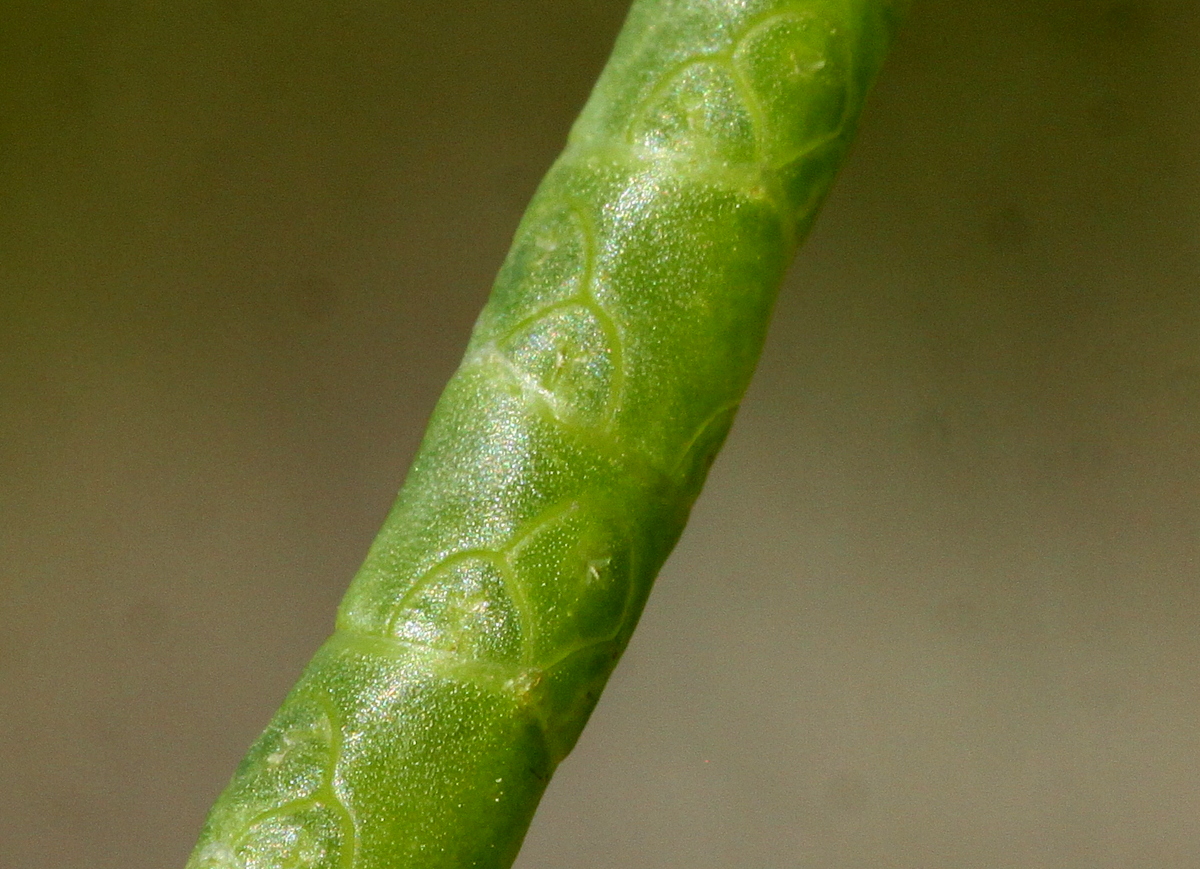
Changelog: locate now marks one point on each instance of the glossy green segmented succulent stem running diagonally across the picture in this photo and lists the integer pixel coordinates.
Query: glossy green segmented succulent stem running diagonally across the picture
(563, 459)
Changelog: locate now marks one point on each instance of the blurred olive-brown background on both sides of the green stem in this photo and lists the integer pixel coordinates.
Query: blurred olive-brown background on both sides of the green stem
(939, 606)
